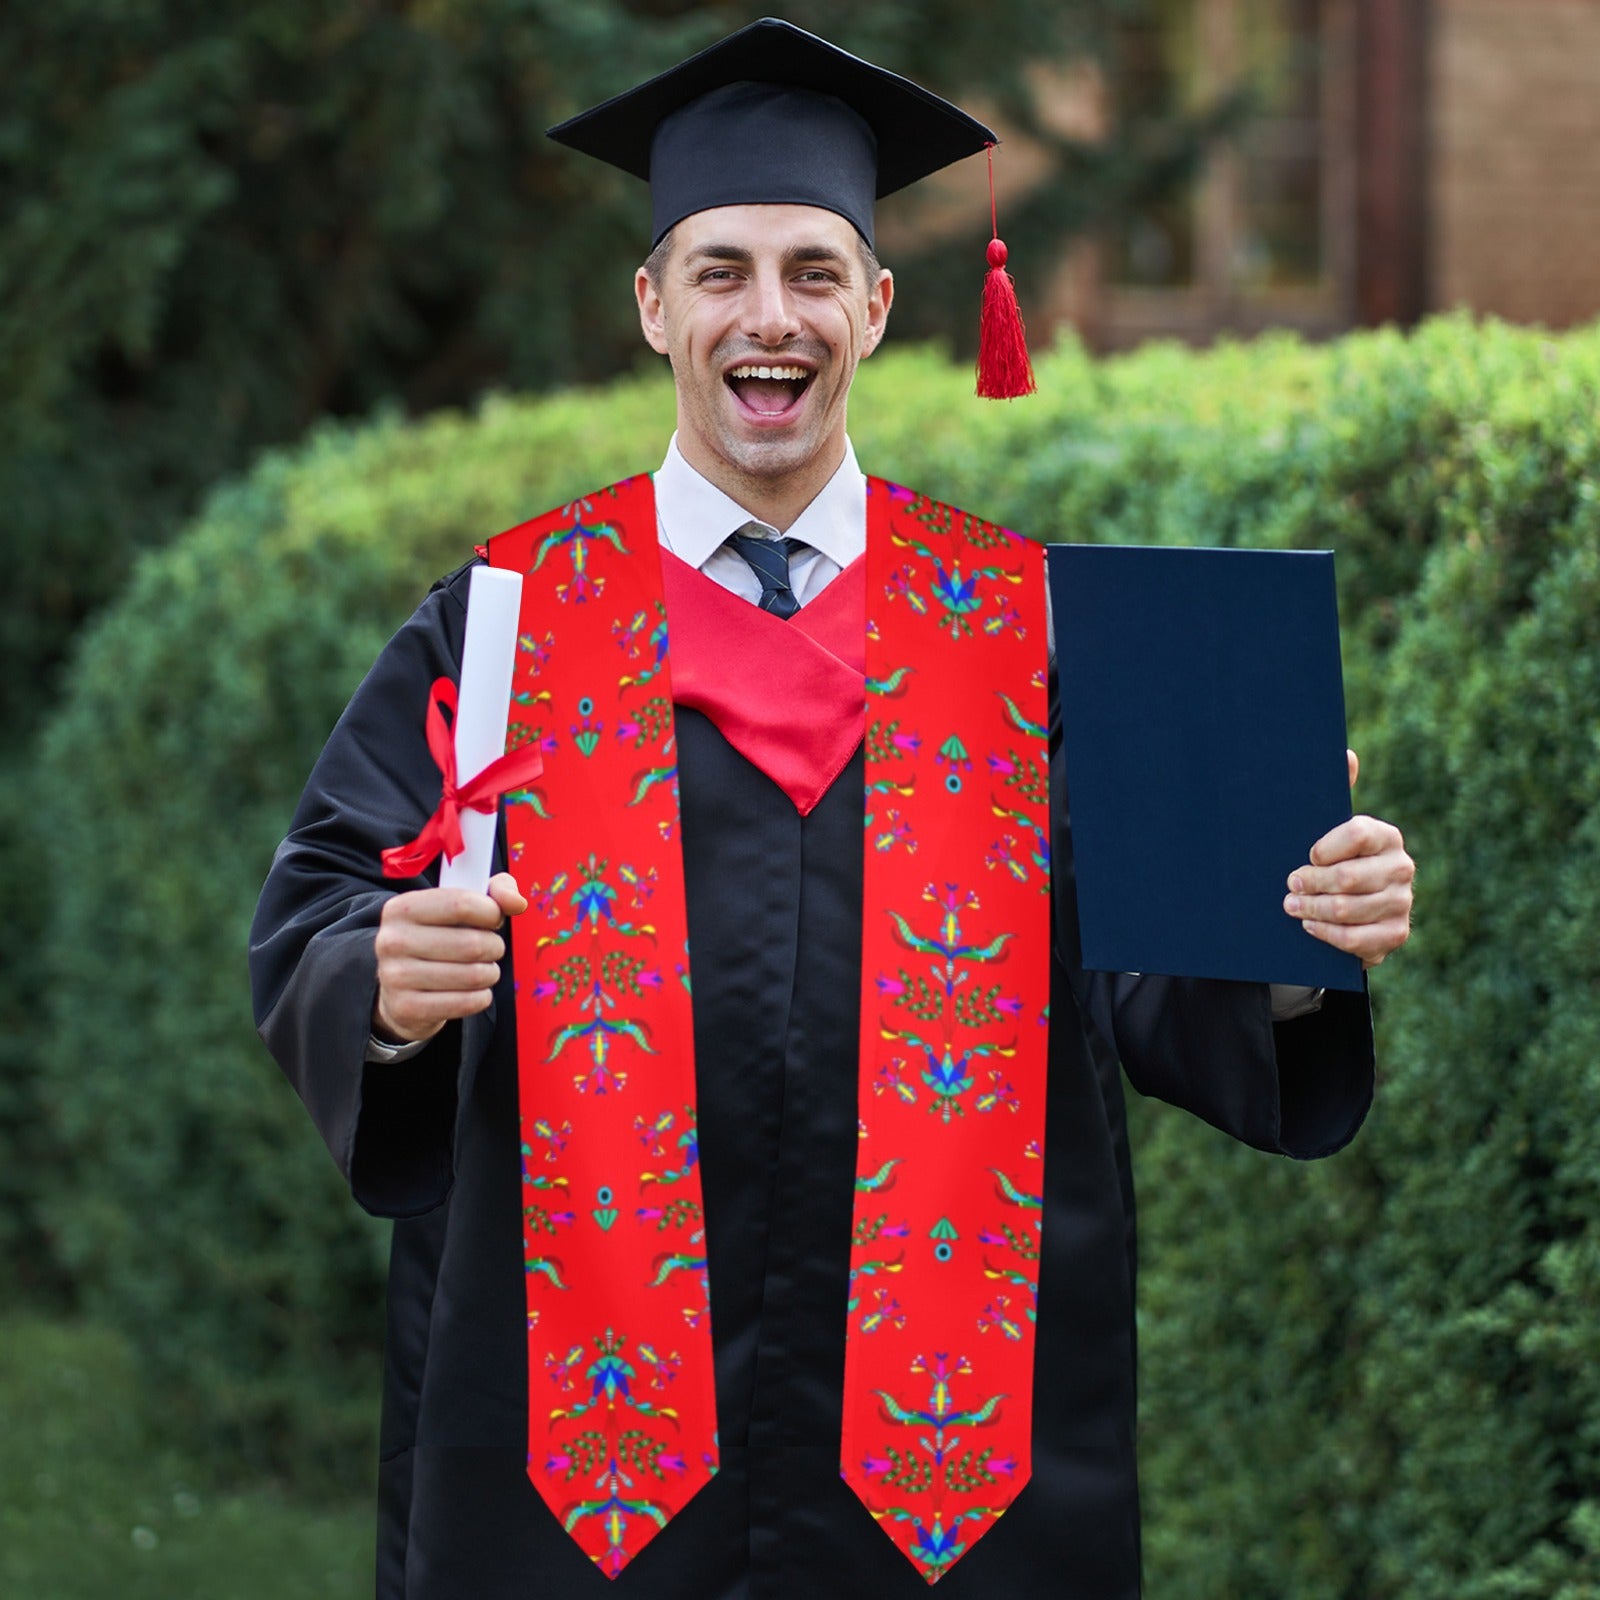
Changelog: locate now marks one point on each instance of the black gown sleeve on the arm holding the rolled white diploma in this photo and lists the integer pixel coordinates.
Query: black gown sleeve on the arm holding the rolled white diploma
(313, 961)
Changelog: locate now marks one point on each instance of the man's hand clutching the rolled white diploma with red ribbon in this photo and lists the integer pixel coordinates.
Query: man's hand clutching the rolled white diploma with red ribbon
(439, 954)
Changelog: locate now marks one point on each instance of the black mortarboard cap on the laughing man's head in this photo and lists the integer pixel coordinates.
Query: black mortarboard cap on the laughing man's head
(775, 116)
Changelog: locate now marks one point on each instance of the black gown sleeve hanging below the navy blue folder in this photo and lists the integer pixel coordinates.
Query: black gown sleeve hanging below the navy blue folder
(1298, 1089)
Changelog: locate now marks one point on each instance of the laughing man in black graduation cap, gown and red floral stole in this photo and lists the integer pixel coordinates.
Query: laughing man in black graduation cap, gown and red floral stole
(809, 1271)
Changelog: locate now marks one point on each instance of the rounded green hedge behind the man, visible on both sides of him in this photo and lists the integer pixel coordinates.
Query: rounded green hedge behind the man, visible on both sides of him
(1370, 1378)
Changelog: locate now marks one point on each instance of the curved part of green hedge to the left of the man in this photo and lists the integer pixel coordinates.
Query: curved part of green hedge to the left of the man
(194, 1207)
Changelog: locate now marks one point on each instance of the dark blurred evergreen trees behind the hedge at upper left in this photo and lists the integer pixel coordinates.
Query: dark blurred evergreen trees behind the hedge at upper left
(223, 223)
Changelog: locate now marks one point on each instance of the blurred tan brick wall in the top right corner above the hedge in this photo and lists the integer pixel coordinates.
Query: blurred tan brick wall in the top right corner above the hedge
(1516, 159)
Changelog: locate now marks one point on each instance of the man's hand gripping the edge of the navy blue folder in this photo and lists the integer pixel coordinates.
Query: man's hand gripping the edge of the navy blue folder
(1356, 890)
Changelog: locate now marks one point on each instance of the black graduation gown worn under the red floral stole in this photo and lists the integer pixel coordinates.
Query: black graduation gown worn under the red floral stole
(775, 919)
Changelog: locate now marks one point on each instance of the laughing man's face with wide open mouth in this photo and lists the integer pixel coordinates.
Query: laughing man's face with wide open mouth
(777, 290)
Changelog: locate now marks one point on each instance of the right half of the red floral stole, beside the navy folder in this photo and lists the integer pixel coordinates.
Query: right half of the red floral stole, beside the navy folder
(953, 1063)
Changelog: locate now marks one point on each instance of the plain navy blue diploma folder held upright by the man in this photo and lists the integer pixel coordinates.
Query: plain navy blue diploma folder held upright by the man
(1202, 713)
